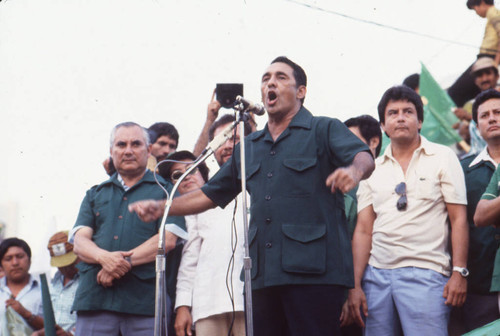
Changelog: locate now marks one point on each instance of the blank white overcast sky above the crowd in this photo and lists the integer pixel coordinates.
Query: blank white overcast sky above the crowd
(72, 69)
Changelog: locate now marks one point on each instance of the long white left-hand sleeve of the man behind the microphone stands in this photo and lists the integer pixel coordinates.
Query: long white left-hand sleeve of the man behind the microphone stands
(189, 262)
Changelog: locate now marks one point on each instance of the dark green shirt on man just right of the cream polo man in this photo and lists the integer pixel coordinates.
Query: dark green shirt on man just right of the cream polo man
(483, 241)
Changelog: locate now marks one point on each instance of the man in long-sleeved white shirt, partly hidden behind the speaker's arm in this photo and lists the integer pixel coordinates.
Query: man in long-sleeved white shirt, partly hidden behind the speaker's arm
(202, 295)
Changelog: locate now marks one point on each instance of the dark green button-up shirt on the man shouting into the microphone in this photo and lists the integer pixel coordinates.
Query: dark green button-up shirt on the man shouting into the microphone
(298, 232)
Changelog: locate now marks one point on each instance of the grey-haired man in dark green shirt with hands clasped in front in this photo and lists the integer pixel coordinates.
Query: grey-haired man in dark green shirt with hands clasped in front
(116, 293)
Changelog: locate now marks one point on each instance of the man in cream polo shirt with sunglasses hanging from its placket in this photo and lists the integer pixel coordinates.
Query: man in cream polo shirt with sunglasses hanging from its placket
(402, 271)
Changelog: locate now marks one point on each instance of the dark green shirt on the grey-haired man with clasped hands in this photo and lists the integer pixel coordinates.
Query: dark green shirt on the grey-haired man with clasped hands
(105, 210)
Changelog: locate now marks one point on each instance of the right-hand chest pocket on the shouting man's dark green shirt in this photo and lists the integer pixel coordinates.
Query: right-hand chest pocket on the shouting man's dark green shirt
(299, 177)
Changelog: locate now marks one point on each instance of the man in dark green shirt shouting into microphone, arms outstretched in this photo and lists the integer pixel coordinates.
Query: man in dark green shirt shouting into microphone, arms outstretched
(297, 168)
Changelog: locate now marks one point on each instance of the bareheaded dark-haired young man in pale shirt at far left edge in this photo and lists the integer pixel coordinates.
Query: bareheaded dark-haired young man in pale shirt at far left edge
(19, 289)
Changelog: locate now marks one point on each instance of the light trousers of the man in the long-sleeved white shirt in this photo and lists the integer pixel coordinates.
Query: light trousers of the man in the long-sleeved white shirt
(218, 325)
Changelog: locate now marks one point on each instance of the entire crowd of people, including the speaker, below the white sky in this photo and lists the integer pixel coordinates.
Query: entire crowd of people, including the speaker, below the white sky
(343, 239)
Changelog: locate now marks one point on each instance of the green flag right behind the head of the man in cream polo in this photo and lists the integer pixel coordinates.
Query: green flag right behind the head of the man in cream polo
(438, 111)
